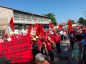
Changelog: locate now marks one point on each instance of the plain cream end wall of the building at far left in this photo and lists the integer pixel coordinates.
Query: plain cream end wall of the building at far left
(5, 16)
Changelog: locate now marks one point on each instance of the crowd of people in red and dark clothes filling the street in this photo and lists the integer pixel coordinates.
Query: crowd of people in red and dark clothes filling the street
(44, 42)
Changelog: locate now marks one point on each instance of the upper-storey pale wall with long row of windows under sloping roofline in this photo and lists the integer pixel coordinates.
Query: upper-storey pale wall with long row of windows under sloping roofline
(23, 18)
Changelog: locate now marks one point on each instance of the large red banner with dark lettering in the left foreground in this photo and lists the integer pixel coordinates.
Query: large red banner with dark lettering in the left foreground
(18, 50)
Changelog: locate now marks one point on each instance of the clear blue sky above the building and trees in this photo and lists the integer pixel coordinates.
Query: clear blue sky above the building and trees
(62, 9)
